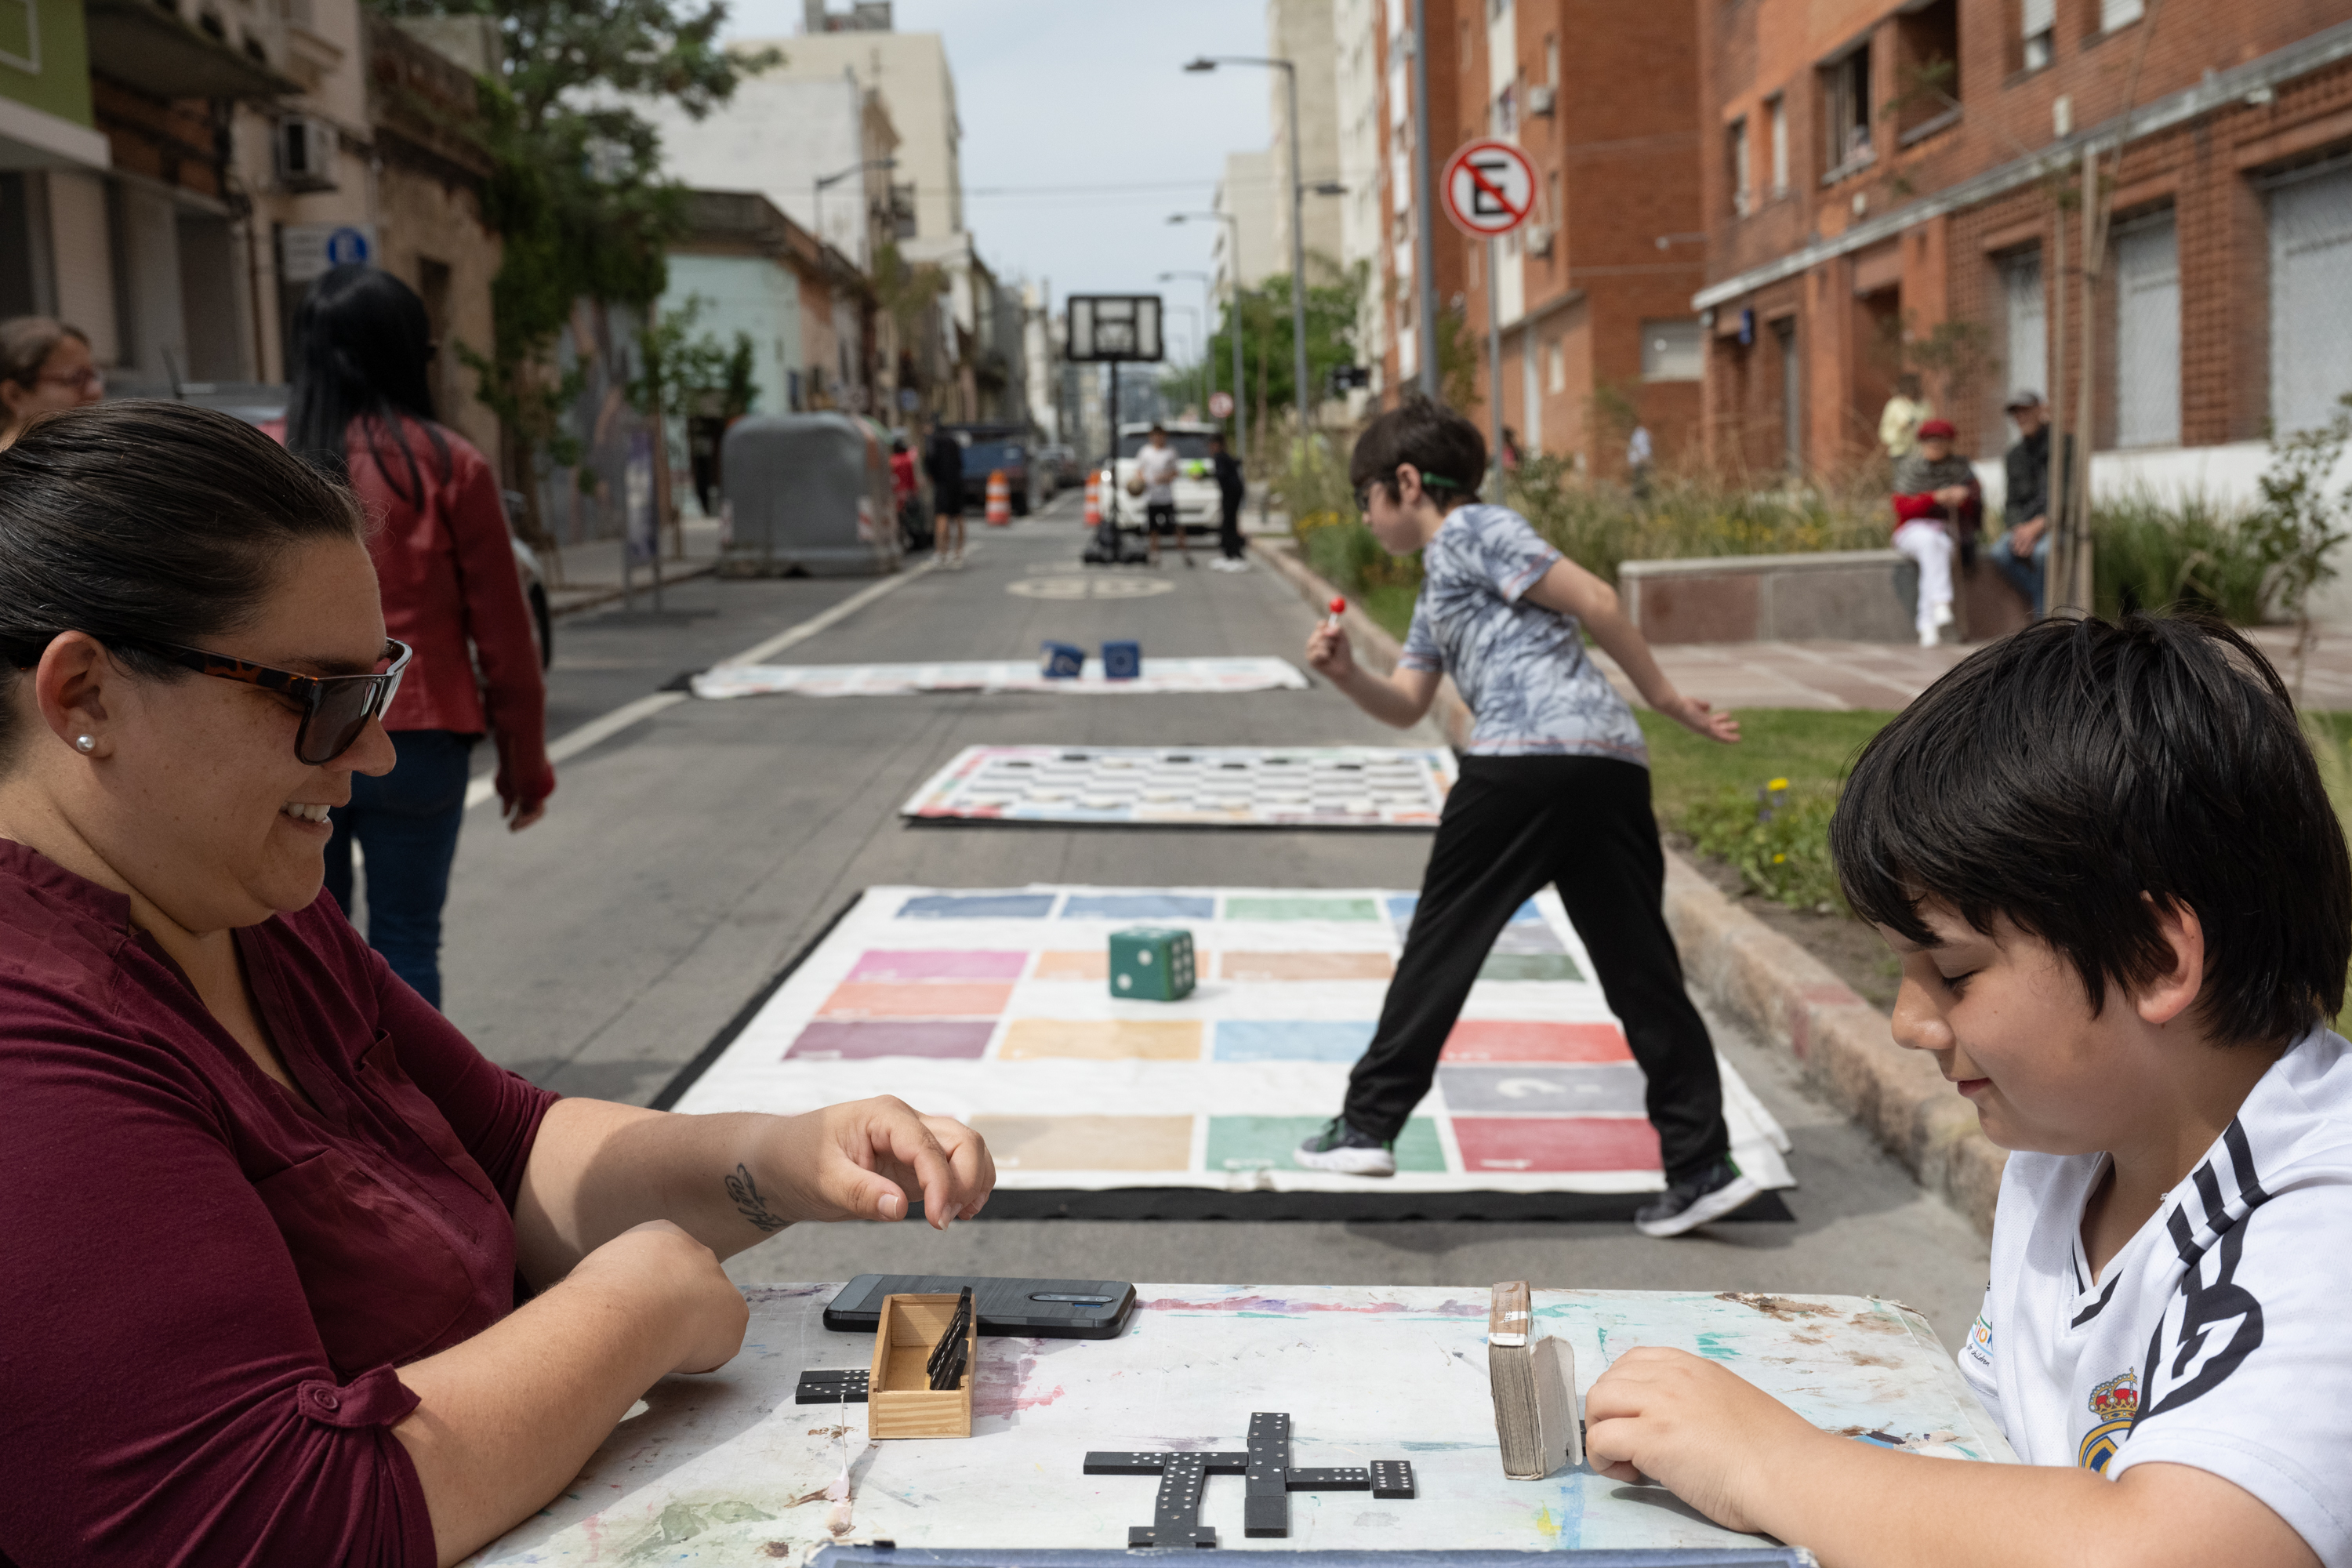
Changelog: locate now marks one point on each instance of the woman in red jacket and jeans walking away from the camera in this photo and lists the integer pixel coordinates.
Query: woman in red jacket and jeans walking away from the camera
(363, 413)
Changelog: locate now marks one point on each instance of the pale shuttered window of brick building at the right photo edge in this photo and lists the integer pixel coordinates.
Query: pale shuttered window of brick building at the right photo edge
(2311, 326)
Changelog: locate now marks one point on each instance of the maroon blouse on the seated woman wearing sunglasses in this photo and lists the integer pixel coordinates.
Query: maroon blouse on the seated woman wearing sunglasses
(203, 1282)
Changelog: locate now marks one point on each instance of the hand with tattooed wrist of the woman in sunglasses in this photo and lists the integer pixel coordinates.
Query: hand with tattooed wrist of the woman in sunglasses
(864, 1160)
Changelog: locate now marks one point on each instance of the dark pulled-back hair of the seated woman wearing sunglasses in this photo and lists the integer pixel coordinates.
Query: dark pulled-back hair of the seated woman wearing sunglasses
(147, 521)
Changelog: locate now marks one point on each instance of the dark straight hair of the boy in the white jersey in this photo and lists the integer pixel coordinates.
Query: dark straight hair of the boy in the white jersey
(2080, 775)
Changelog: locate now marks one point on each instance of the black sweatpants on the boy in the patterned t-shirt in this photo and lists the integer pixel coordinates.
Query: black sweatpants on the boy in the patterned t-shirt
(1584, 826)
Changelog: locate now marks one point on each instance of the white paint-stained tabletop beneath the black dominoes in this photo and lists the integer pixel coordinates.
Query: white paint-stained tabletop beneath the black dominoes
(721, 1468)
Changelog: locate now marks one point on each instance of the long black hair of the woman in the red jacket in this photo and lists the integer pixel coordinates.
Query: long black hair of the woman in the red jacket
(361, 349)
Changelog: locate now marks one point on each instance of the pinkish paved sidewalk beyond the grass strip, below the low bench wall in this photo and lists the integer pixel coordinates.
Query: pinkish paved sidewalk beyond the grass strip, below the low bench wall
(1843, 676)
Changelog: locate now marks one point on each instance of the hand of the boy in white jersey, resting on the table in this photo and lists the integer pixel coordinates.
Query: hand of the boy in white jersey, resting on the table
(1706, 1435)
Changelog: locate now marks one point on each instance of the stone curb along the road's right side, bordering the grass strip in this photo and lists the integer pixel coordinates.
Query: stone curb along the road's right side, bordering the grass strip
(1775, 986)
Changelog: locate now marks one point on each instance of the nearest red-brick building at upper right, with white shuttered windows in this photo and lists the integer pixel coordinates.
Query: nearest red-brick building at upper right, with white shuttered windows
(1897, 189)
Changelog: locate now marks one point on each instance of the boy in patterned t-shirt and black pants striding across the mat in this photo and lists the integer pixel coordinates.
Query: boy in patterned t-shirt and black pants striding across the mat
(1553, 791)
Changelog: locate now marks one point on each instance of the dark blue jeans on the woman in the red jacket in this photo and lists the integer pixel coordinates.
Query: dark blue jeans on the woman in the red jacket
(408, 831)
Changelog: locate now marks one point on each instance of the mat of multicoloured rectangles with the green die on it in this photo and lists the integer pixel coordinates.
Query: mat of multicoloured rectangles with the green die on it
(994, 1007)
